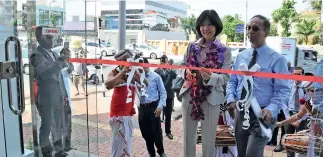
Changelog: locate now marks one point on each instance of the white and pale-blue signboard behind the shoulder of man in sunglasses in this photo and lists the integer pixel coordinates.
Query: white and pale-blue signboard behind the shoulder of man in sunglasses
(284, 46)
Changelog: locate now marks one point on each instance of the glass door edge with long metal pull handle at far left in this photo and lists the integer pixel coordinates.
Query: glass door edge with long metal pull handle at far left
(12, 94)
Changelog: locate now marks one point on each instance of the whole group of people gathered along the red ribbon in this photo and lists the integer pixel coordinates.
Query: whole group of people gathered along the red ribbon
(209, 98)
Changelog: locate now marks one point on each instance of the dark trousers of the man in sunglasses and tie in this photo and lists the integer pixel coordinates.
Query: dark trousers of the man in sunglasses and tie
(250, 142)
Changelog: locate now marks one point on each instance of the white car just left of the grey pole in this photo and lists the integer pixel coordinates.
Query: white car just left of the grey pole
(103, 50)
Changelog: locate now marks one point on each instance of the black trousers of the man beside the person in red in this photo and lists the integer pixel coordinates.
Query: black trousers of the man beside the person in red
(150, 127)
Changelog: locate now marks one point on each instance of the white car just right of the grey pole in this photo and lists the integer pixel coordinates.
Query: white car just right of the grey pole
(148, 51)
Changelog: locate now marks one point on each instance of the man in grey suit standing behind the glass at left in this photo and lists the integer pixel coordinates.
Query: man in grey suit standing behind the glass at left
(52, 95)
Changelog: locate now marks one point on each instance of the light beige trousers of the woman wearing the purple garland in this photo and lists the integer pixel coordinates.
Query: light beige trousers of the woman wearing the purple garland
(208, 128)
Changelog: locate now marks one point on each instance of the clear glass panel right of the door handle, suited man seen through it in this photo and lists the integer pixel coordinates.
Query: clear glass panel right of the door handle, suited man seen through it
(46, 126)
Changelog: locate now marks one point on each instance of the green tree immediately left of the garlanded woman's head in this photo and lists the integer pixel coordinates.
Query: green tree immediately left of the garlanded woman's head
(188, 24)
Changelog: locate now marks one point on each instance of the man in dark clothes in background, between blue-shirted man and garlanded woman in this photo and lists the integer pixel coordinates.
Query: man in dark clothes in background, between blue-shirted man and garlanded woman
(167, 75)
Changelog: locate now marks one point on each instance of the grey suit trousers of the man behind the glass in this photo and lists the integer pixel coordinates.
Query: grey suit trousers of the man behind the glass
(51, 123)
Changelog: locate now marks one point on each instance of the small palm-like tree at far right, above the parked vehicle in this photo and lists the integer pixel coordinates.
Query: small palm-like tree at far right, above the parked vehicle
(305, 29)
